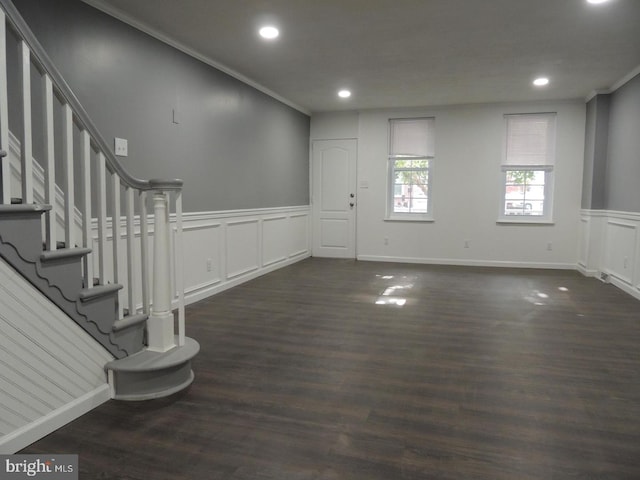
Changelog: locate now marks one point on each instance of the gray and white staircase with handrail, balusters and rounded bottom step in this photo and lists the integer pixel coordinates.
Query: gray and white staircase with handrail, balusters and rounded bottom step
(83, 239)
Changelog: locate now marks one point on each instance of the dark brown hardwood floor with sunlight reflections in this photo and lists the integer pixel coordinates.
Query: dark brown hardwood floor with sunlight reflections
(481, 374)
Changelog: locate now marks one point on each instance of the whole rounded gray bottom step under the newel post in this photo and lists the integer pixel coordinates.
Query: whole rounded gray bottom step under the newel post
(147, 375)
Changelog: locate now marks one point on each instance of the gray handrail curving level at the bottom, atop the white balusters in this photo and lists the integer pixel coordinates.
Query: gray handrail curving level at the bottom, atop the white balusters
(64, 91)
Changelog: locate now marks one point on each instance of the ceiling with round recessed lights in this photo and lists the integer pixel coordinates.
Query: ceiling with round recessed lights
(403, 53)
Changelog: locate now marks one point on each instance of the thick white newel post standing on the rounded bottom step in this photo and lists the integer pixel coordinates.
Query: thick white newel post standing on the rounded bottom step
(160, 323)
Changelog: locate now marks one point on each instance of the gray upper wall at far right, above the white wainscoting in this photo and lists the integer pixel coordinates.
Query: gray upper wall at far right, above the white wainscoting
(623, 166)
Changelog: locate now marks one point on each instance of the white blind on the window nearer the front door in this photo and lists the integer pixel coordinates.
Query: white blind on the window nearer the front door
(412, 138)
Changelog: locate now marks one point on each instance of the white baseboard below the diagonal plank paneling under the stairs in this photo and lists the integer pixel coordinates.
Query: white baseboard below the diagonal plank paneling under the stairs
(26, 435)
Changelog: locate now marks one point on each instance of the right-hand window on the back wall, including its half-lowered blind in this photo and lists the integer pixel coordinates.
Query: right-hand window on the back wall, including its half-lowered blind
(527, 168)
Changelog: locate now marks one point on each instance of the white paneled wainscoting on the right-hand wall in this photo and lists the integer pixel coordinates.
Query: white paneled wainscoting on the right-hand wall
(610, 248)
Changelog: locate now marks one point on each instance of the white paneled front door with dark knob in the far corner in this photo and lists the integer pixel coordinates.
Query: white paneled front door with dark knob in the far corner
(334, 198)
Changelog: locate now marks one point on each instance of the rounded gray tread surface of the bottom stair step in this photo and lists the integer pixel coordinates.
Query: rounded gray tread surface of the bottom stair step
(147, 360)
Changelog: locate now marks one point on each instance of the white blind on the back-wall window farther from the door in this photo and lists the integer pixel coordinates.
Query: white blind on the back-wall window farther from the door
(530, 140)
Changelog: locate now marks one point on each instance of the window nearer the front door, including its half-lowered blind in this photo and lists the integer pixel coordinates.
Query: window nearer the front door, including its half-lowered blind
(411, 154)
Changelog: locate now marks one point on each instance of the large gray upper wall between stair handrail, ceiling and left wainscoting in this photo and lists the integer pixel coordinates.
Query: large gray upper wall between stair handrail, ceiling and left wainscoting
(234, 146)
